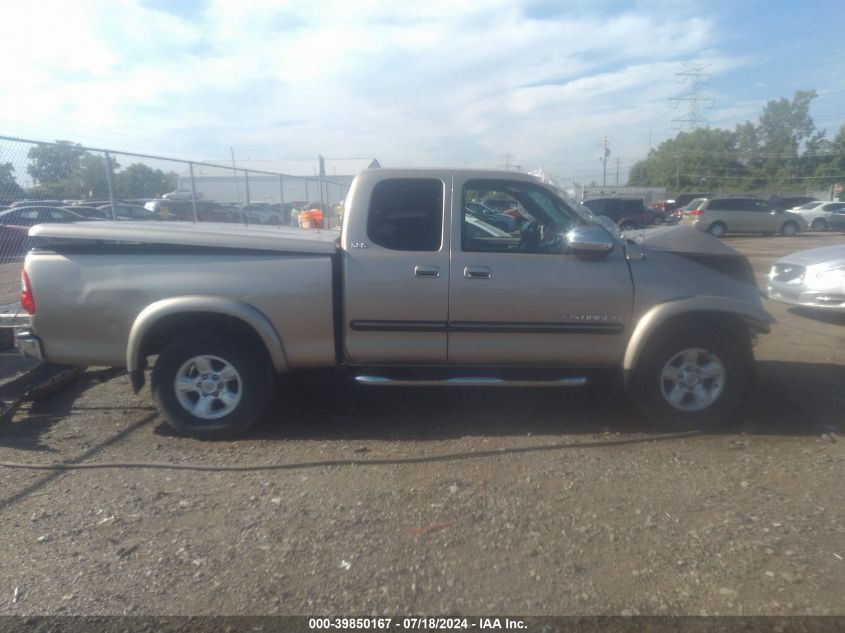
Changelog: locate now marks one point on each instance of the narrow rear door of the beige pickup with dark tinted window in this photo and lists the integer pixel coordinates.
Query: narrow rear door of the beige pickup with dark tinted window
(396, 268)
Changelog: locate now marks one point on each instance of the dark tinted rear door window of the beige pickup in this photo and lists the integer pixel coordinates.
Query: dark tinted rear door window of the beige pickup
(406, 214)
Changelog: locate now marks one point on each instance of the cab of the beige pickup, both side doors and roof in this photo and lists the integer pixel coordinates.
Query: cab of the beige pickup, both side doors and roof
(425, 281)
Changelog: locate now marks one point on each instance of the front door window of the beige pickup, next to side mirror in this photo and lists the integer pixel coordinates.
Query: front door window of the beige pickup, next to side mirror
(537, 221)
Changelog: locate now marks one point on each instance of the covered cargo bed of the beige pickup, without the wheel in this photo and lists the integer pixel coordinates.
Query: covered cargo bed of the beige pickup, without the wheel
(92, 280)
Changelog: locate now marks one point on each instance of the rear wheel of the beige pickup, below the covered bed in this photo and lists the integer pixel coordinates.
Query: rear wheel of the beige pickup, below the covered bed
(210, 387)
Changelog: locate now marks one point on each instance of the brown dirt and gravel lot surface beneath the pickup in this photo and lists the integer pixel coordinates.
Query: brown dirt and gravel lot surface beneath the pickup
(603, 518)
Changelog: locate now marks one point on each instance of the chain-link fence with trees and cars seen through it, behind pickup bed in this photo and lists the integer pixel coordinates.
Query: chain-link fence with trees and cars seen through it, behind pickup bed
(66, 182)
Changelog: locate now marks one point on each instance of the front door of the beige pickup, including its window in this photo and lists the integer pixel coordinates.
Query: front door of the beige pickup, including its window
(520, 299)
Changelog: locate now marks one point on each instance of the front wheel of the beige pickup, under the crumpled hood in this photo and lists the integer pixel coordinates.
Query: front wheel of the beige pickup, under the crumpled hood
(692, 377)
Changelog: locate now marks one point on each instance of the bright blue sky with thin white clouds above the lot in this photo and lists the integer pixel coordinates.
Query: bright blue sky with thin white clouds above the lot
(530, 83)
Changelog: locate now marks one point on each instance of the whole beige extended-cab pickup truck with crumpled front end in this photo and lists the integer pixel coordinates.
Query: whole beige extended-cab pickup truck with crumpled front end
(419, 288)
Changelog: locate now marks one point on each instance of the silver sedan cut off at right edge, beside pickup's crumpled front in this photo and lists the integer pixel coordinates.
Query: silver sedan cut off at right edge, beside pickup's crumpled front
(812, 279)
